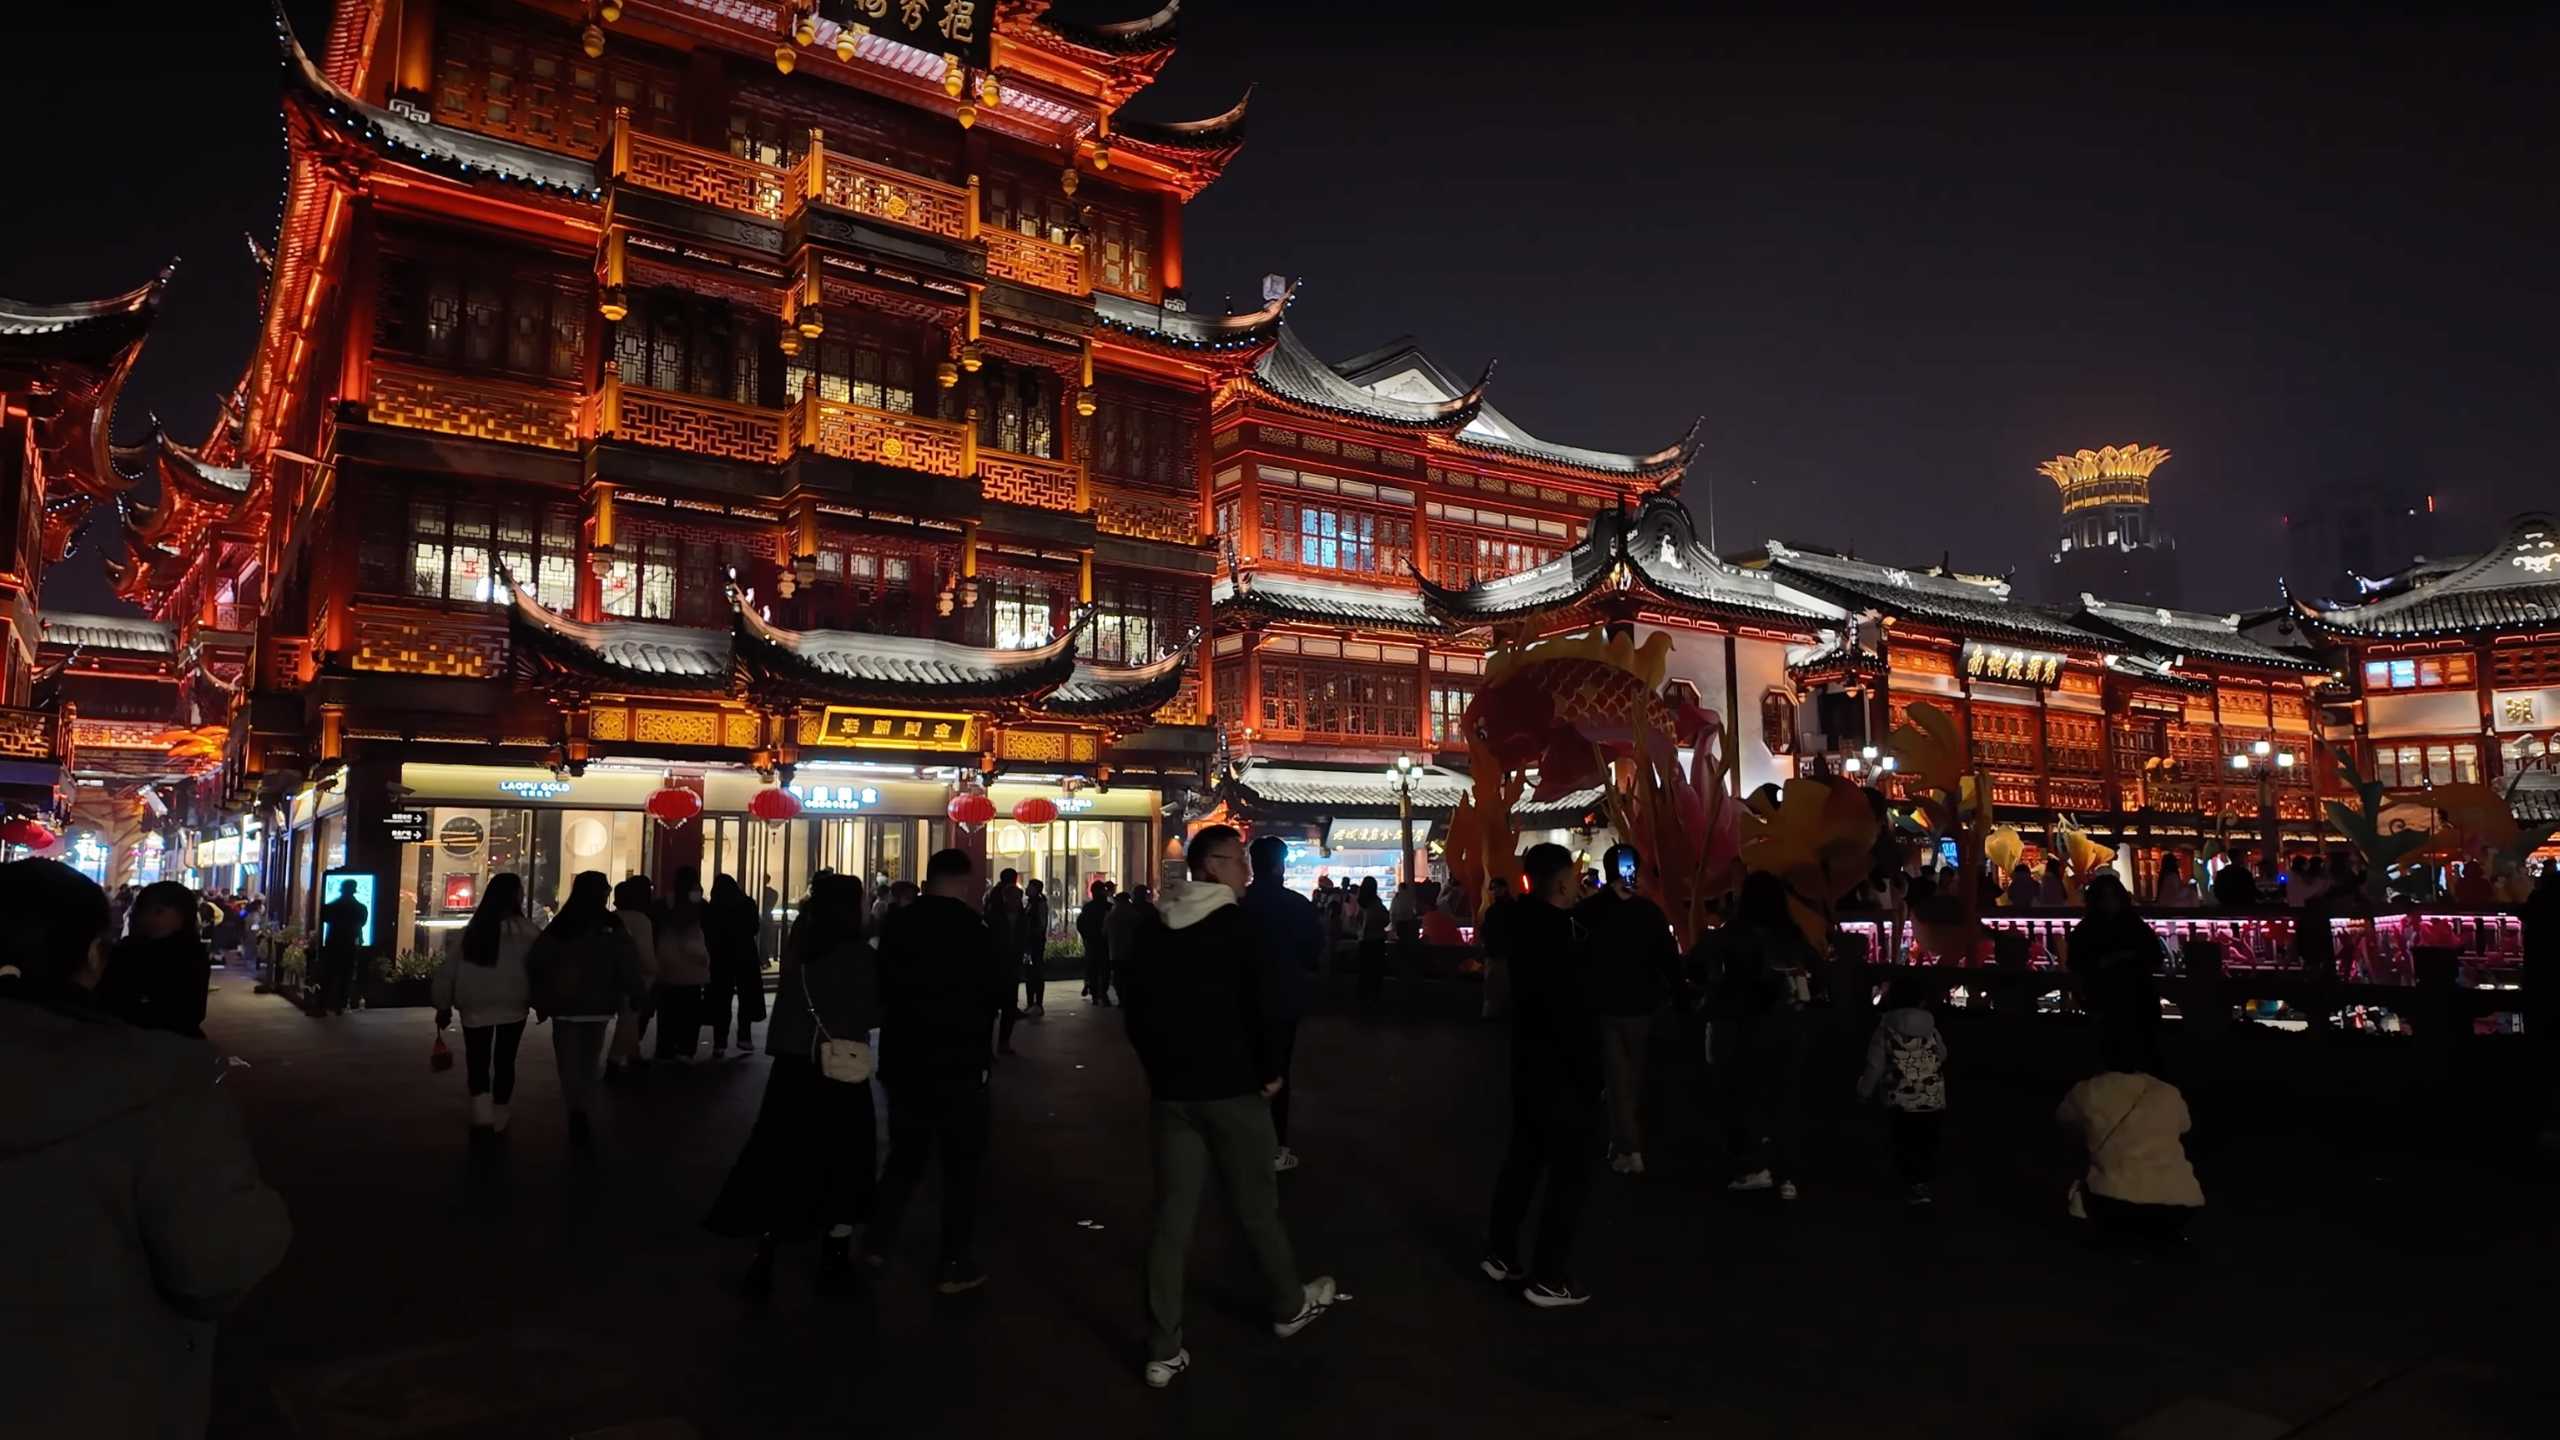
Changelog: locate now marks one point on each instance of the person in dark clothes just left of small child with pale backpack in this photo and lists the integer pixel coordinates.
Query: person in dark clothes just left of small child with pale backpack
(1757, 1039)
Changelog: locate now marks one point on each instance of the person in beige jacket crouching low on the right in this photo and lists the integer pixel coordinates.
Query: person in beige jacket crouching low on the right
(2134, 1129)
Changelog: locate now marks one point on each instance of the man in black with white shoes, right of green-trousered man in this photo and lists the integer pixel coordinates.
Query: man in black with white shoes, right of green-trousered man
(1555, 1085)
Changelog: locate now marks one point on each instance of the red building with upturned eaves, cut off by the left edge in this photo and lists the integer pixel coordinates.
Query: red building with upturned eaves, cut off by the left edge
(60, 373)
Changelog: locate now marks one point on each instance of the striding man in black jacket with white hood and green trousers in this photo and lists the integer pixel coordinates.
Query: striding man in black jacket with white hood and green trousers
(1194, 1001)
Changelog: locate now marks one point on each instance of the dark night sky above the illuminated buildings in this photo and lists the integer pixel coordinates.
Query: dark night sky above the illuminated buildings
(1891, 260)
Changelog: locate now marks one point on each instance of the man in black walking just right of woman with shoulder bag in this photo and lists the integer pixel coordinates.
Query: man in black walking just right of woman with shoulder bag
(943, 983)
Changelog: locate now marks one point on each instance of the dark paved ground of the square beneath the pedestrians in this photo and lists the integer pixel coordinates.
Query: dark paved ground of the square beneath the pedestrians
(2351, 1280)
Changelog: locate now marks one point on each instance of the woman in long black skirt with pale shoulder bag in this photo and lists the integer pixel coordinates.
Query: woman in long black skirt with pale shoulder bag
(808, 1170)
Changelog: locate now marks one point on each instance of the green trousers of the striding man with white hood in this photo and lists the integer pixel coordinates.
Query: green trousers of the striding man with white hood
(1233, 1136)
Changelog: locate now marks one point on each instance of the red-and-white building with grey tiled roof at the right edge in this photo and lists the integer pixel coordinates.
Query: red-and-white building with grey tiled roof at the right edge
(2451, 670)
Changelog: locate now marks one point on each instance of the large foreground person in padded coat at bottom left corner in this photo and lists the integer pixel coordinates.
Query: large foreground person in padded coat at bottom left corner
(132, 1213)
